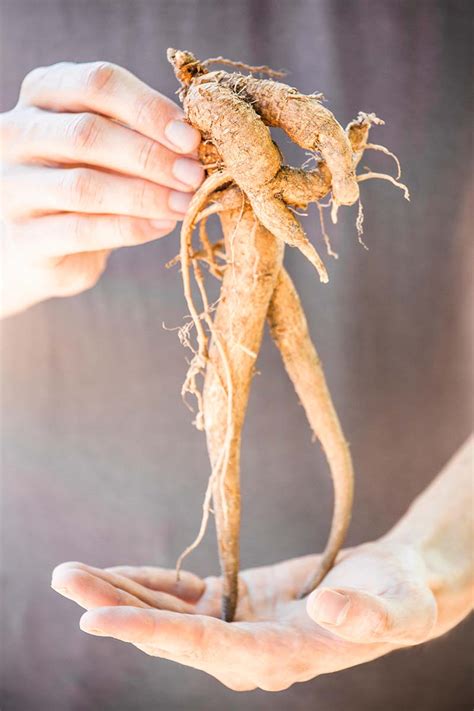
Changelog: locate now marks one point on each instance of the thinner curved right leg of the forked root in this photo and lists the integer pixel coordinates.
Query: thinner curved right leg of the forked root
(290, 332)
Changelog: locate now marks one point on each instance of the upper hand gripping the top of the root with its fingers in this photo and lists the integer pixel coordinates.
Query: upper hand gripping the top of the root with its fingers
(92, 159)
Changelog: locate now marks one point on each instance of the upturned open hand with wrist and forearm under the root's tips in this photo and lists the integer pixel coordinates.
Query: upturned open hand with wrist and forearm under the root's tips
(408, 587)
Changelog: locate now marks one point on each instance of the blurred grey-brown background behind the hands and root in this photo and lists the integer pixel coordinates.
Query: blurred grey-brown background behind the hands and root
(100, 462)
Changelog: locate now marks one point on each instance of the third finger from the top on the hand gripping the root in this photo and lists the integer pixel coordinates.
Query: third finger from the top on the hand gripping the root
(36, 190)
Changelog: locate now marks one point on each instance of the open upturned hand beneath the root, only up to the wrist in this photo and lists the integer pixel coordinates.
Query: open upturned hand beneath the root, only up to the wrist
(375, 599)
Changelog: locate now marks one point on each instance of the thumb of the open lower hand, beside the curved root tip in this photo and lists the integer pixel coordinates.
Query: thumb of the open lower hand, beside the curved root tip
(404, 615)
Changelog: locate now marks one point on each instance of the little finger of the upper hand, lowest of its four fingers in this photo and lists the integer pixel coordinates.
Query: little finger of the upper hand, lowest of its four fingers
(73, 233)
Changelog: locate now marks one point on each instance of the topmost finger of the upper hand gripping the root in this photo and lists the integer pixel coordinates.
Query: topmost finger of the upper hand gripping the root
(112, 91)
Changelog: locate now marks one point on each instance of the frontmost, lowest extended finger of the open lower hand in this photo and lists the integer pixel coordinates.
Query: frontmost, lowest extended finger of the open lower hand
(209, 642)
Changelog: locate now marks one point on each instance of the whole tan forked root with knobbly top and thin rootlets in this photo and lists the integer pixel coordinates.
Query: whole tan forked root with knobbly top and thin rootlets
(255, 197)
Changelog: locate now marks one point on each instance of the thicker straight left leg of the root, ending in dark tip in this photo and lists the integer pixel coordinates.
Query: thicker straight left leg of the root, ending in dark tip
(254, 262)
